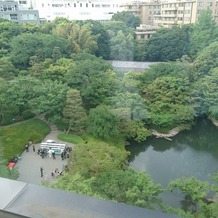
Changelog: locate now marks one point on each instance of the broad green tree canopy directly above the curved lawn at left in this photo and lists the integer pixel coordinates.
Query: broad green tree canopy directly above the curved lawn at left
(28, 93)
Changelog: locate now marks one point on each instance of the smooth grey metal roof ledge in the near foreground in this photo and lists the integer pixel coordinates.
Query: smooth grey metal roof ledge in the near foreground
(19, 199)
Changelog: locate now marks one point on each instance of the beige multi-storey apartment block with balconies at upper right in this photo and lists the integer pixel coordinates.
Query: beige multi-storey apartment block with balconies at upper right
(171, 12)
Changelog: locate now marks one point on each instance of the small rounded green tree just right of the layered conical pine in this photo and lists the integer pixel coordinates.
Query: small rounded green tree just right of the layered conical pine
(103, 123)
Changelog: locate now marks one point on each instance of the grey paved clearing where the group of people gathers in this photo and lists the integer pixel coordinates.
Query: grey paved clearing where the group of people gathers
(30, 163)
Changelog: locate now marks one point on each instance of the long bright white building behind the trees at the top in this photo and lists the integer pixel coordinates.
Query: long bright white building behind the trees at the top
(101, 10)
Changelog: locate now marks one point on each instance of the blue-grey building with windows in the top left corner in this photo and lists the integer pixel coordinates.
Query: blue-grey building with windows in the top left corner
(10, 10)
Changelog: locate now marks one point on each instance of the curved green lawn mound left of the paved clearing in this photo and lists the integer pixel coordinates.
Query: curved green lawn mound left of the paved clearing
(14, 138)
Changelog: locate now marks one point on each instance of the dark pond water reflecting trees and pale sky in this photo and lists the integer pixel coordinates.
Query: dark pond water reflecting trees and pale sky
(190, 153)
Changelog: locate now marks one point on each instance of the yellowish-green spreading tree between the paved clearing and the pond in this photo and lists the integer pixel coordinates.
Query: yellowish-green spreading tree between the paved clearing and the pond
(95, 157)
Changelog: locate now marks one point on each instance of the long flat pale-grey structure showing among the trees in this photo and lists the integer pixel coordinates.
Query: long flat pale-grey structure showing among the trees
(135, 66)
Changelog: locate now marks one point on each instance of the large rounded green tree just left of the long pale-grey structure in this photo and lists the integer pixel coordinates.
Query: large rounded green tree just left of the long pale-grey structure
(93, 78)
